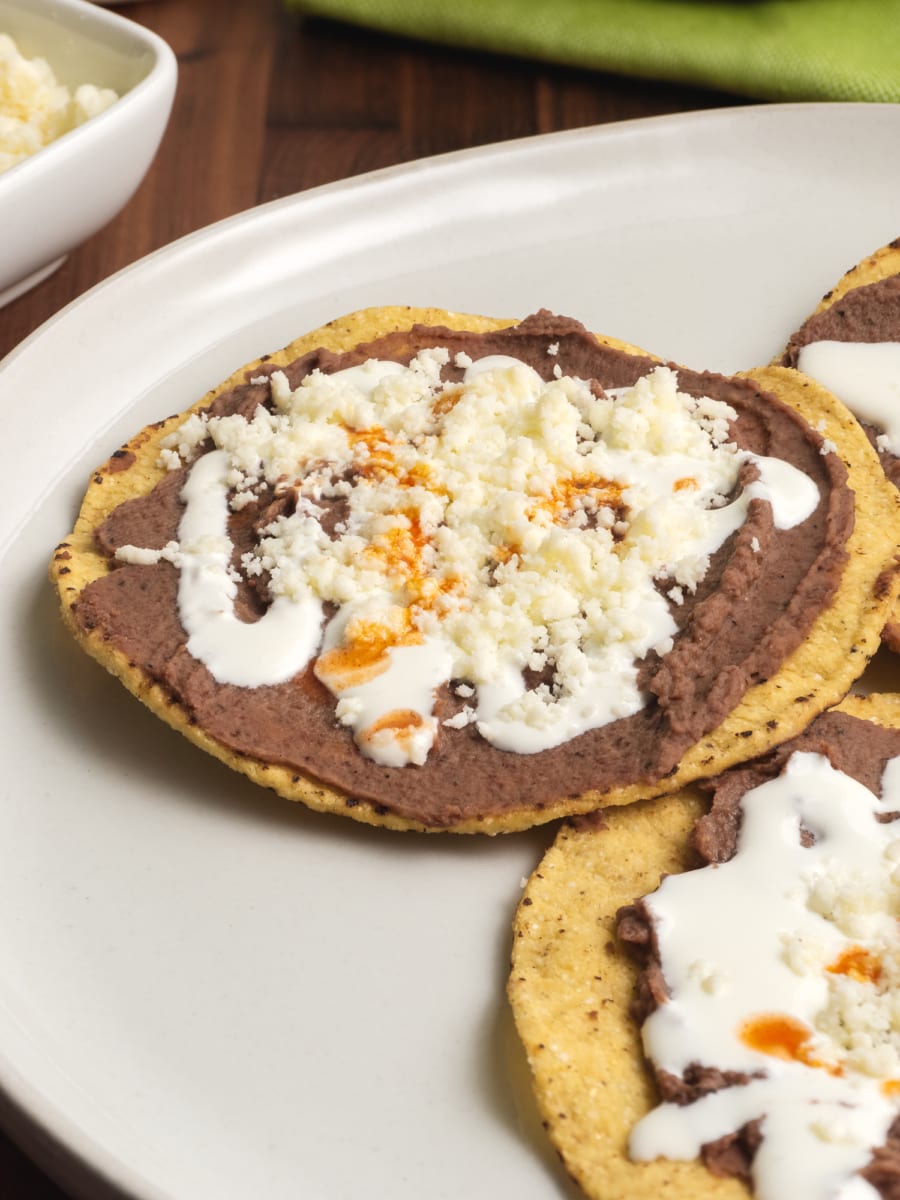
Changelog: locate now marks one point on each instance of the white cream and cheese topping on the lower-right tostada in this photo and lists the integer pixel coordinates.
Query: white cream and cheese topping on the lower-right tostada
(755, 938)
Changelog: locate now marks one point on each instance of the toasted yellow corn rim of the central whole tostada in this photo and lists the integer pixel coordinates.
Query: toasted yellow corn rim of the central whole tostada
(815, 676)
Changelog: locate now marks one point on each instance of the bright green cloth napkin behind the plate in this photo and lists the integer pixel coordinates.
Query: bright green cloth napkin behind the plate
(771, 50)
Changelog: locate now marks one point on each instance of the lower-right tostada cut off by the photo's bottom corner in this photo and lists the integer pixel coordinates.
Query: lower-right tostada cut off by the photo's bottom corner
(706, 989)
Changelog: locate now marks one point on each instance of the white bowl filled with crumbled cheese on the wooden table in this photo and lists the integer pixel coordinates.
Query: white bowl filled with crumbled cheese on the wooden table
(86, 97)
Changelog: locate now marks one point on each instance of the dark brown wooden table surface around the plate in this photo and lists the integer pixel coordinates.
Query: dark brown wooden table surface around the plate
(269, 105)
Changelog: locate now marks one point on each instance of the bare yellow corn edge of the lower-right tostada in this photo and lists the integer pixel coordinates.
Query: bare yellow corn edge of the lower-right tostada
(572, 986)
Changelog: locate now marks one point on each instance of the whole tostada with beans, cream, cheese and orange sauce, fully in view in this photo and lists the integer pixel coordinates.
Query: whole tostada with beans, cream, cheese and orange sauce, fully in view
(441, 572)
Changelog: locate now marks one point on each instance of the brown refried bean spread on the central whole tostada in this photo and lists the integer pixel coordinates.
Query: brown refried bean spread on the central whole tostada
(731, 626)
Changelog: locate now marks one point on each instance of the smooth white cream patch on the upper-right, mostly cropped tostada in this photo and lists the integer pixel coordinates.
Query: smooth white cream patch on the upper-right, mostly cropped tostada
(866, 376)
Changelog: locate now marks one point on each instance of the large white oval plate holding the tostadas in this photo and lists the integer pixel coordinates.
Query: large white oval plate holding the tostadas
(207, 994)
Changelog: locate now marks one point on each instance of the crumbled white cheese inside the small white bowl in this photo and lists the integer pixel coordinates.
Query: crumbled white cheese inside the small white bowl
(35, 107)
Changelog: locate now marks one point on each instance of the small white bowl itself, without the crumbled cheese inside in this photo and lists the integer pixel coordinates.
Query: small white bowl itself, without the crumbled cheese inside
(58, 197)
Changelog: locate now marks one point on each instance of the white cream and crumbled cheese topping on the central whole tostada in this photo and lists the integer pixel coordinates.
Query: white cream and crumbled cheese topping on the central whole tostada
(482, 467)
